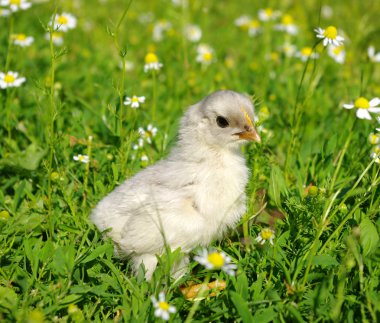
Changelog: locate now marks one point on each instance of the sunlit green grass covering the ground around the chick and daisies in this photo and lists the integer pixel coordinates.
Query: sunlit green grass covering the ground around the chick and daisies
(325, 261)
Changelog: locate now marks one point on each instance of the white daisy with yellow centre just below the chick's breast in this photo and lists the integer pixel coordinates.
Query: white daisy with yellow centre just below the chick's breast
(216, 260)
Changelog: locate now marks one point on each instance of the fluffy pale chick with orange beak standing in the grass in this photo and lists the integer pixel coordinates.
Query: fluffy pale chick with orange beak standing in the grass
(194, 195)
